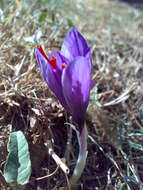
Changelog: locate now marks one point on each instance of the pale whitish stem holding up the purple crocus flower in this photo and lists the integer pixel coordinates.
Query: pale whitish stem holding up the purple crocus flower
(81, 161)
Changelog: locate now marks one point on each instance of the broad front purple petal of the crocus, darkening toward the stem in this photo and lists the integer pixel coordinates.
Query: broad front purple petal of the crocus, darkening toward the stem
(76, 82)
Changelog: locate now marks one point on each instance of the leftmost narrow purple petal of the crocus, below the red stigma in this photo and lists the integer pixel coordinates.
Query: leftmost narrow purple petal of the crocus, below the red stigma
(51, 76)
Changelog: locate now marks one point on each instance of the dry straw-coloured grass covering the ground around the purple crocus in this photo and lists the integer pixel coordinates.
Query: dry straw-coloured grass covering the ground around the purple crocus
(115, 155)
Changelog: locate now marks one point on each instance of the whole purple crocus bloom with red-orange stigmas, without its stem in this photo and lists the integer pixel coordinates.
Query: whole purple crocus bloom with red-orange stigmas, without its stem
(68, 74)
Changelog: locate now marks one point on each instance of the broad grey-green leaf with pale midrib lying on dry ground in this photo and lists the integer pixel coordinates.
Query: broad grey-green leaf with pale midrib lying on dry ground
(18, 165)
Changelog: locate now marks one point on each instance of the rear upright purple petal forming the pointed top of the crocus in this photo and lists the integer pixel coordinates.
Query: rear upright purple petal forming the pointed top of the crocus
(74, 45)
